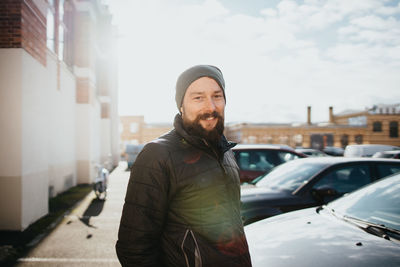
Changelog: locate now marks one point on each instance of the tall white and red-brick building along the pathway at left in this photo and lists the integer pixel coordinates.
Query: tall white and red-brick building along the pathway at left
(58, 101)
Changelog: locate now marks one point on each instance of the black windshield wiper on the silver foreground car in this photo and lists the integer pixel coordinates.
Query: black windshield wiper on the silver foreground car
(376, 229)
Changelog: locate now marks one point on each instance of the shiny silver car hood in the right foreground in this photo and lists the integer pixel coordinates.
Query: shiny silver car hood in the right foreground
(308, 238)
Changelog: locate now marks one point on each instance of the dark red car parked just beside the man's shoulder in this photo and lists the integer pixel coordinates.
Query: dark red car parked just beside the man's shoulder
(257, 159)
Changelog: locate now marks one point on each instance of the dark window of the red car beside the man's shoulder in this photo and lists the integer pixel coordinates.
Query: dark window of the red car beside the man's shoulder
(257, 160)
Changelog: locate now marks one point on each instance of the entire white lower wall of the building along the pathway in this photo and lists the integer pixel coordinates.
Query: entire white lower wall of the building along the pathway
(48, 142)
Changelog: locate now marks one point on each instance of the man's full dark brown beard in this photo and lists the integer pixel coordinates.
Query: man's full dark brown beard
(213, 136)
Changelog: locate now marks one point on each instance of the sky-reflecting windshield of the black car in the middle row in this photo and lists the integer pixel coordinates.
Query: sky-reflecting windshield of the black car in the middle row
(289, 176)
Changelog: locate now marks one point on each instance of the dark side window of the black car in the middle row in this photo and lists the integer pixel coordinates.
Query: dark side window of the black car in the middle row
(345, 179)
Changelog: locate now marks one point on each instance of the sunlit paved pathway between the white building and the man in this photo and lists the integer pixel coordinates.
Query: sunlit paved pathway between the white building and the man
(87, 236)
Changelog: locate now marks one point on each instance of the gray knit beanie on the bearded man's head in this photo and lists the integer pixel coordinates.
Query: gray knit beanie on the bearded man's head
(194, 73)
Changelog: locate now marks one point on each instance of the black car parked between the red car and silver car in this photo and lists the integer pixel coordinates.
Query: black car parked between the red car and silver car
(309, 182)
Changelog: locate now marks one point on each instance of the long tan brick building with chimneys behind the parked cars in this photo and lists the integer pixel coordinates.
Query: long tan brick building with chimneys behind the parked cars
(377, 125)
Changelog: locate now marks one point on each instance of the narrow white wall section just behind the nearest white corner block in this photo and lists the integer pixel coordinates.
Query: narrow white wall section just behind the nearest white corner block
(62, 156)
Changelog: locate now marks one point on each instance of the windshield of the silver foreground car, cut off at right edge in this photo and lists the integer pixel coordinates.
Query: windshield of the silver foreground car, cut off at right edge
(378, 203)
